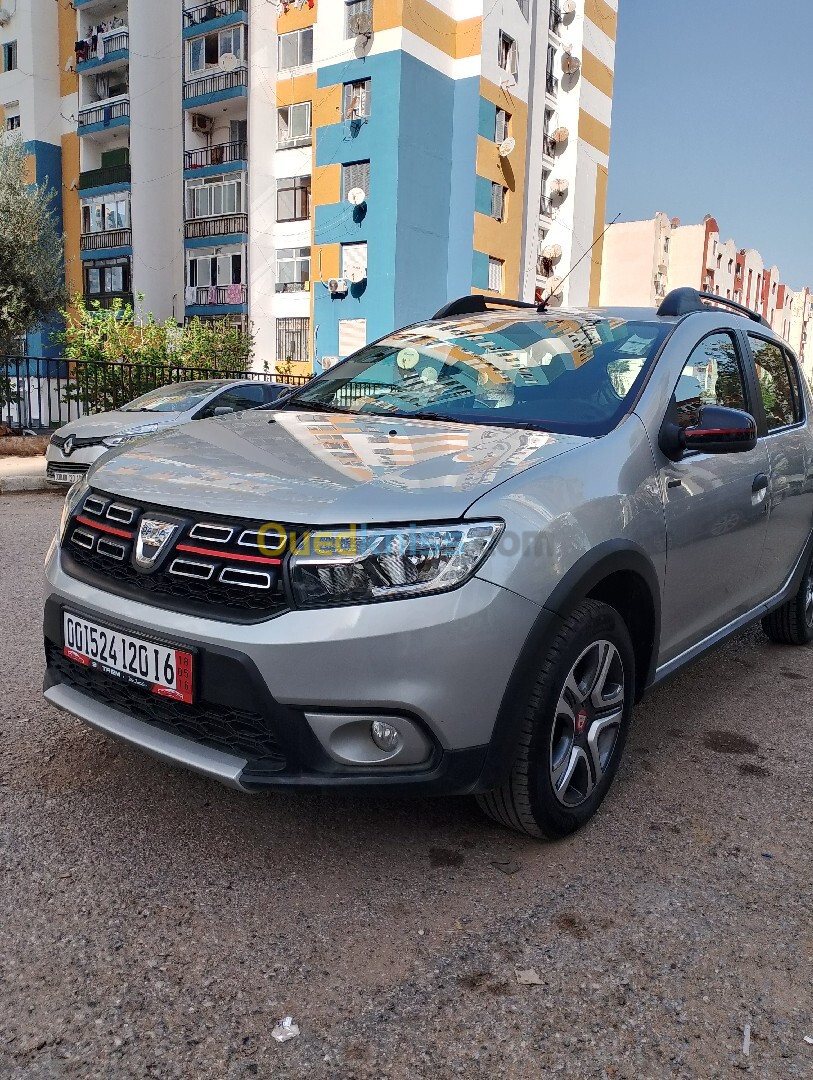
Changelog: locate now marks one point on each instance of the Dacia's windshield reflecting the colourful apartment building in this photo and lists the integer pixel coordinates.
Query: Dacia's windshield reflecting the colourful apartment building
(573, 374)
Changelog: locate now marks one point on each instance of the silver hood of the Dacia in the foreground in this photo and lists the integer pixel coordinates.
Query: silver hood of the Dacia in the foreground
(324, 468)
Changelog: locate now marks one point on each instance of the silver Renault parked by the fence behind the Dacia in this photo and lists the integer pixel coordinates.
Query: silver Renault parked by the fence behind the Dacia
(75, 448)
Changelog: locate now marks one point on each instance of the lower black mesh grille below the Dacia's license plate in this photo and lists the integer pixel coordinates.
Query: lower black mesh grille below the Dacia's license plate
(224, 728)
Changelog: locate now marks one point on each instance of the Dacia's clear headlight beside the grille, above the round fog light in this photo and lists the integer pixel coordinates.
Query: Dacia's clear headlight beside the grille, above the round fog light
(360, 566)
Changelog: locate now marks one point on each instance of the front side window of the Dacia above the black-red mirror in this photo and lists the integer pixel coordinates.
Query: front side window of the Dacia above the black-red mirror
(712, 376)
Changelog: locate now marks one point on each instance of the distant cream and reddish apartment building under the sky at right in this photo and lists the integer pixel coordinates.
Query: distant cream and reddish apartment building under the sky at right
(643, 261)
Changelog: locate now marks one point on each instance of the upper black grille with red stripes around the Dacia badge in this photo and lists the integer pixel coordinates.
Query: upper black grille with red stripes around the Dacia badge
(213, 566)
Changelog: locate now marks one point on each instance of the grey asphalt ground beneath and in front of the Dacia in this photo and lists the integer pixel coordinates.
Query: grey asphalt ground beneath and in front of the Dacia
(156, 925)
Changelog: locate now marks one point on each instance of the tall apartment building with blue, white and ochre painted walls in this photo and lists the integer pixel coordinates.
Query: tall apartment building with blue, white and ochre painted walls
(326, 170)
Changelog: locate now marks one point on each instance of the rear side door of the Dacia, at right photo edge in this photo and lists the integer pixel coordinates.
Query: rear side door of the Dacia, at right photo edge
(789, 444)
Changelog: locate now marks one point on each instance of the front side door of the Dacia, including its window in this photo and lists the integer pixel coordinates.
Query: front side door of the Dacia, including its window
(716, 505)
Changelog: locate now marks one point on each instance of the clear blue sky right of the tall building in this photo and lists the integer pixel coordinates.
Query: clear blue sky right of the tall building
(713, 114)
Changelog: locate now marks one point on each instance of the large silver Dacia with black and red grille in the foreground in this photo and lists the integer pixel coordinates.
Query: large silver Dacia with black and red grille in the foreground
(452, 563)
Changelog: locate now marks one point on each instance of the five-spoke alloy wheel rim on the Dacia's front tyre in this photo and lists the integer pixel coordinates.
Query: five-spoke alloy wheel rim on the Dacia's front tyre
(588, 722)
